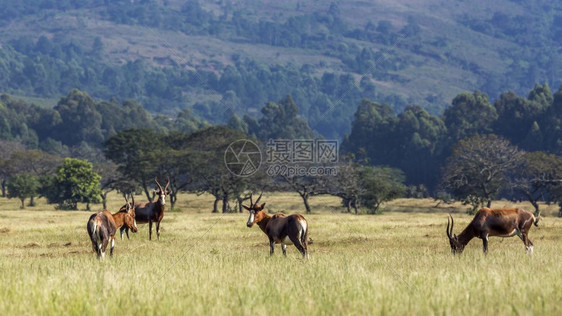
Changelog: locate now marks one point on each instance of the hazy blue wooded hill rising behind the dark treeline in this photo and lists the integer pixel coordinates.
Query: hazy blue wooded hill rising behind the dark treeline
(222, 57)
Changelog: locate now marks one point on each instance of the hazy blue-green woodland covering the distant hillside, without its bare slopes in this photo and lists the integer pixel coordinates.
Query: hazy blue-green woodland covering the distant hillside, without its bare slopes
(51, 66)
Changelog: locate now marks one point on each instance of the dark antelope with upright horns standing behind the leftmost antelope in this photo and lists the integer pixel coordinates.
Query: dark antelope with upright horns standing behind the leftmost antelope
(152, 212)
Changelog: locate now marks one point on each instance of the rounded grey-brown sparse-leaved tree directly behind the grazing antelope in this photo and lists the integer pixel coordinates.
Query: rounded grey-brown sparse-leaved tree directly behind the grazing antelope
(477, 169)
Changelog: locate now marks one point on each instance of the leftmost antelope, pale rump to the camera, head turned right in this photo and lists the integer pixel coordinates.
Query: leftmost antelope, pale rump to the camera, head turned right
(103, 225)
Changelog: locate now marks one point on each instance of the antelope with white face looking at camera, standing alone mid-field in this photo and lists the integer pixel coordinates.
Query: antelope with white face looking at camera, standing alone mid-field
(279, 228)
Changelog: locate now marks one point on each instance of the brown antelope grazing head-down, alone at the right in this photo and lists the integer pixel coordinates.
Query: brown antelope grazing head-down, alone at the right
(493, 222)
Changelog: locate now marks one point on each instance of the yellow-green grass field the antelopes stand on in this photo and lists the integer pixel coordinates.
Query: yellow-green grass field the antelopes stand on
(212, 264)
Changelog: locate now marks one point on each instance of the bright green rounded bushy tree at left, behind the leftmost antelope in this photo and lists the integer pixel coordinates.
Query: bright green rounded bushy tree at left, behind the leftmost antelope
(74, 182)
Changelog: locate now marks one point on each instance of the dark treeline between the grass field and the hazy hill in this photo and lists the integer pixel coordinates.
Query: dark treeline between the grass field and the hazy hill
(386, 155)
